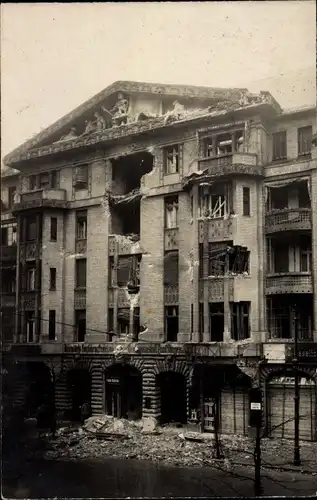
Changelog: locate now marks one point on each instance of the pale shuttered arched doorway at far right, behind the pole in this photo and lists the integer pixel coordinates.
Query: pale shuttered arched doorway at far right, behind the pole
(280, 392)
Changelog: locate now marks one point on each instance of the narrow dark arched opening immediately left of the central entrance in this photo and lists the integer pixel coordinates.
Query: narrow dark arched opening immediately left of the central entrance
(79, 383)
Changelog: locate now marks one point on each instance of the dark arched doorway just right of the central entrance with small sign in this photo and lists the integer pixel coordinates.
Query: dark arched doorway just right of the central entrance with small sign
(172, 387)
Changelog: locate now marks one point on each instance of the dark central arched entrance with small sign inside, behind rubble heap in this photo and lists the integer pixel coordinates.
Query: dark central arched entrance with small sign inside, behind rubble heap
(123, 388)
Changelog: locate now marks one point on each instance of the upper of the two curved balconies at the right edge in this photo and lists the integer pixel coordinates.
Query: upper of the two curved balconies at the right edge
(290, 219)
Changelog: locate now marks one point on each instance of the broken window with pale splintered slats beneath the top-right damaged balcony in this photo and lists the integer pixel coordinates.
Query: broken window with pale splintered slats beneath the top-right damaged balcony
(214, 201)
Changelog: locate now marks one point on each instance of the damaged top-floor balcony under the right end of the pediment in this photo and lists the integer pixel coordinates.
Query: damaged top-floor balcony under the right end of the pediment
(232, 164)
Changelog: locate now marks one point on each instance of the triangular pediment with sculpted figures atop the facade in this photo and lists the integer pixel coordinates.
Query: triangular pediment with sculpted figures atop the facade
(125, 102)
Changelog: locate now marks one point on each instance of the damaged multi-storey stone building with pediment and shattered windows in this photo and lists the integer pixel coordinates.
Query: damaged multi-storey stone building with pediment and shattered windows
(167, 246)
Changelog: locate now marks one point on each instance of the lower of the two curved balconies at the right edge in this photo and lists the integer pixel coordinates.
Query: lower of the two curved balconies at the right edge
(289, 283)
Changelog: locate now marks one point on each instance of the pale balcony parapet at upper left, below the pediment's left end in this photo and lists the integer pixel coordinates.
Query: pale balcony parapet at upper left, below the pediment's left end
(50, 198)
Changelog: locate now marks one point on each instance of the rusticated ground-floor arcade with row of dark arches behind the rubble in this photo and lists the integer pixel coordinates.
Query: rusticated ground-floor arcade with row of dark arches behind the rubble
(206, 396)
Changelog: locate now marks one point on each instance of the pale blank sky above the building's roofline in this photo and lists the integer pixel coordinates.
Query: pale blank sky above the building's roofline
(56, 56)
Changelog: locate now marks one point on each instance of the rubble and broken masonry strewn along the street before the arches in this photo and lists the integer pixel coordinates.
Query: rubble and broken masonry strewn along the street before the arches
(104, 436)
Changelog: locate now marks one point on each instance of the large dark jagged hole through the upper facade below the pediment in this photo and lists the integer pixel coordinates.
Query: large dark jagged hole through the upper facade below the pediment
(126, 194)
